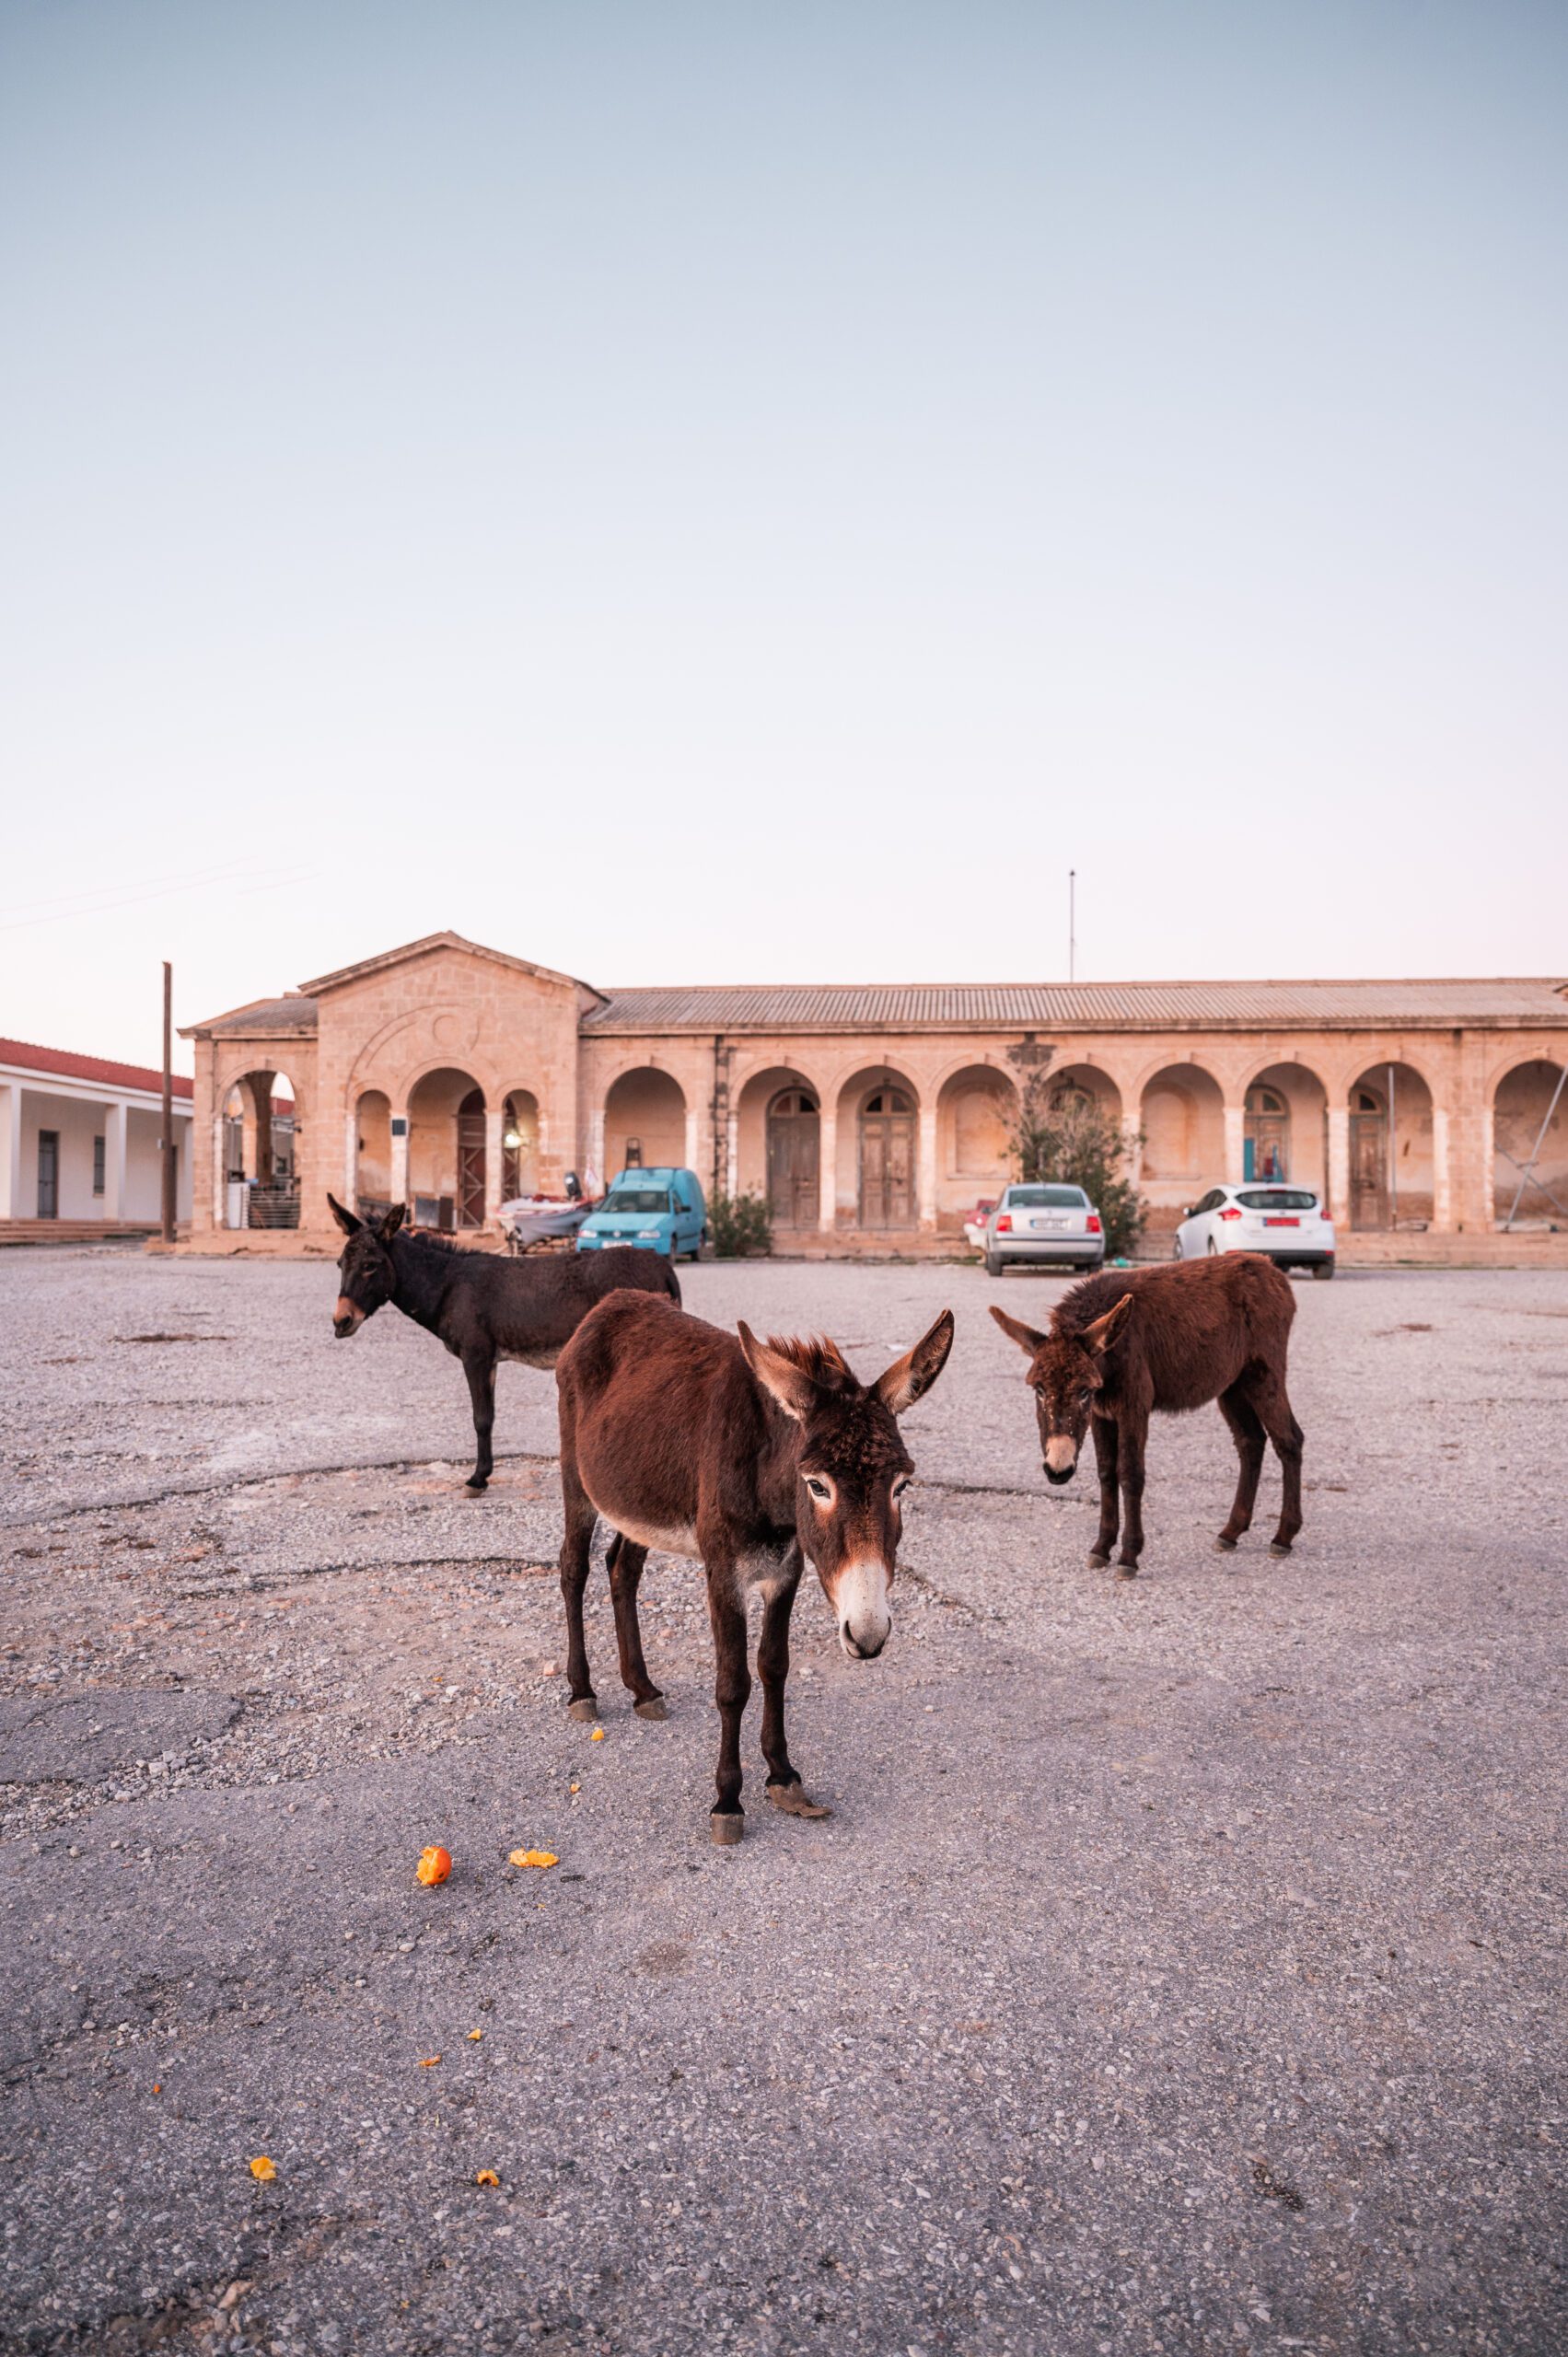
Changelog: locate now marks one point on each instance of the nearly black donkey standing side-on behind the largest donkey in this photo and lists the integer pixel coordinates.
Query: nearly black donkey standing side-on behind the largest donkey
(480, 1305)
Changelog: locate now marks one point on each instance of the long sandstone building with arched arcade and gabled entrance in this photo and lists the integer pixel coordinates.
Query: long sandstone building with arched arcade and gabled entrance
(874, 1116)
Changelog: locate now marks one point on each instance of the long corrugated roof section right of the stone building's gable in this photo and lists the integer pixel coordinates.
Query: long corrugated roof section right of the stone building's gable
(1081, 1005)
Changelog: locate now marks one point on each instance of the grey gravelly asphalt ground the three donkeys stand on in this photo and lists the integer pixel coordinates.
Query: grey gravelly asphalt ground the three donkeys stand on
(1180, 1969)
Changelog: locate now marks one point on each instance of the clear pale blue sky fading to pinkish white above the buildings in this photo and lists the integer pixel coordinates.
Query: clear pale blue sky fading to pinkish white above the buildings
(725, 491)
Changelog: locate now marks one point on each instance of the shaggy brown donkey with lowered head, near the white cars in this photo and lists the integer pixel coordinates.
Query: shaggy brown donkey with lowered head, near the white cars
(1166, 1340)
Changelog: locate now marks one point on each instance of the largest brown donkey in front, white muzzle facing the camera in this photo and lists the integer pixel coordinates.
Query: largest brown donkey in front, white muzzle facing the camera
(753, 1458)
